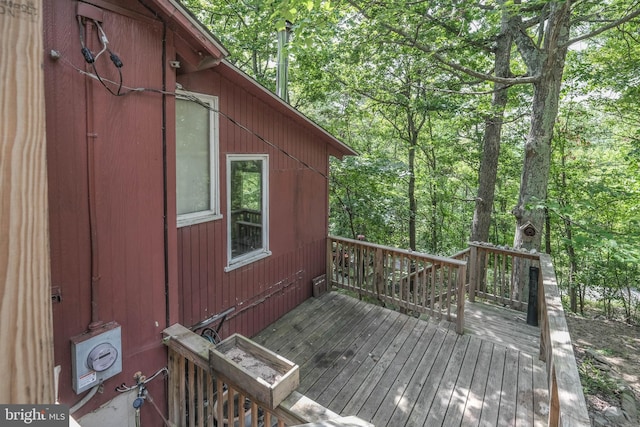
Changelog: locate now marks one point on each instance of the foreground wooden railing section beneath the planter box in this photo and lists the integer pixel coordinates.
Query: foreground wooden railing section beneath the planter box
(200, 396)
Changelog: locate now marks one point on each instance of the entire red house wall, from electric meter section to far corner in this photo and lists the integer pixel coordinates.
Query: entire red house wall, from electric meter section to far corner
(112, 204)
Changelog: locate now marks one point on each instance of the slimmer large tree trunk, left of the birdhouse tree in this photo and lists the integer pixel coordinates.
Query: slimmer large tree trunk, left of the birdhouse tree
(492, 135)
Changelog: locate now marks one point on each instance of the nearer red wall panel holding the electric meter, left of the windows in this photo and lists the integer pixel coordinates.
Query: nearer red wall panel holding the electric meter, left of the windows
(126, 134)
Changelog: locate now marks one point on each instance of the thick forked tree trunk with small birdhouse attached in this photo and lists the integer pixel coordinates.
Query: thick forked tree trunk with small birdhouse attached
(548, 63)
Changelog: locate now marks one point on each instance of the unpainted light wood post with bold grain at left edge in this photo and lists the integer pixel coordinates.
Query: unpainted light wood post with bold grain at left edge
(26, 354)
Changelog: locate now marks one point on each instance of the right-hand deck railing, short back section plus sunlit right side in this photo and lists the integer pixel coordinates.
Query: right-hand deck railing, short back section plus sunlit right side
(501, 275)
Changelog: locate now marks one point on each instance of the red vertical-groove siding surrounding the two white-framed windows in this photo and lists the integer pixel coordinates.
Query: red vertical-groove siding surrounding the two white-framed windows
(266, 289)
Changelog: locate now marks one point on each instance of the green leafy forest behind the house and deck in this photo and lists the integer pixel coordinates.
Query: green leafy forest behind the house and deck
(472, 119)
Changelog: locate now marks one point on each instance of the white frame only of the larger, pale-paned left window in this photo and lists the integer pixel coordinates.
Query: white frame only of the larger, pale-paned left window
(213, 212)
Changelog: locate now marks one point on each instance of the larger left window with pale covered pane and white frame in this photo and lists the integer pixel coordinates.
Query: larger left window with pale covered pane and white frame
(197, 197)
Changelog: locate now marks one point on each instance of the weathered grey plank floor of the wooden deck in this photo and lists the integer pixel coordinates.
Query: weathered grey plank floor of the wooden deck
(395, 370)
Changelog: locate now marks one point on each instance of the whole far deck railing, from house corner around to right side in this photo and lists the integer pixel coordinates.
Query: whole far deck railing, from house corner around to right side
(426, 283)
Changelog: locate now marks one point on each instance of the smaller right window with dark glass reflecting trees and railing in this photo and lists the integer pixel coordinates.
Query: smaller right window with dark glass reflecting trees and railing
(247, 189)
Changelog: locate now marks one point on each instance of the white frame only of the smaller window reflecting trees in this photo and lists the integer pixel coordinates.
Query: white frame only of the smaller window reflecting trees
(258, 254)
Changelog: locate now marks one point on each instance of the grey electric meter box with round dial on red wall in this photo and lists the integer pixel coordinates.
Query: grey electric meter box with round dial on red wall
(96, 356)
